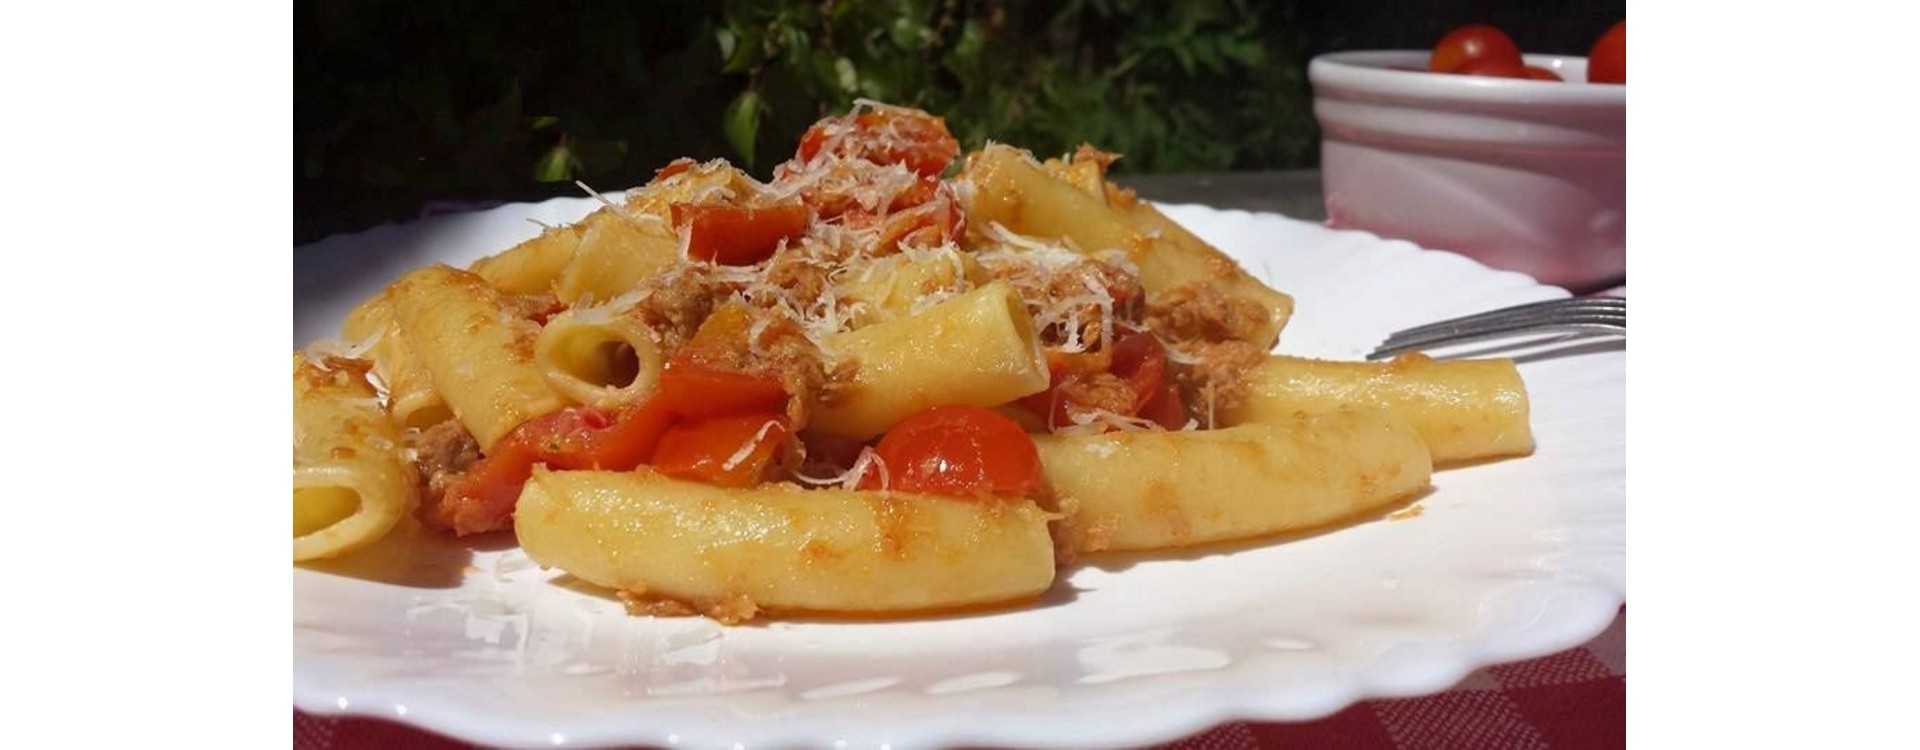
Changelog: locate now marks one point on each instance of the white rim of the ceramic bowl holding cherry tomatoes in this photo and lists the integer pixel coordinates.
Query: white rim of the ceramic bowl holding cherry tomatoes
(1362, 72)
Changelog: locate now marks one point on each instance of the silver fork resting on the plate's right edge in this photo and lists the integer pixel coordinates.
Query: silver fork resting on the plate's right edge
(1581, 316)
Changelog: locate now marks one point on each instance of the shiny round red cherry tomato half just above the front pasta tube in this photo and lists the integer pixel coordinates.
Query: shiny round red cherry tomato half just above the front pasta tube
(959, 452)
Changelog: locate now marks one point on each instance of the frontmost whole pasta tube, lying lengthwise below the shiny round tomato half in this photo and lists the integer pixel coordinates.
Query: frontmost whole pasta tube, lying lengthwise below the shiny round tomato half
(731, 553)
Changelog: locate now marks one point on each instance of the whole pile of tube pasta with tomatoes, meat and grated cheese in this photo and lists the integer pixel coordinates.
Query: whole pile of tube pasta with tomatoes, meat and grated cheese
(890, 381)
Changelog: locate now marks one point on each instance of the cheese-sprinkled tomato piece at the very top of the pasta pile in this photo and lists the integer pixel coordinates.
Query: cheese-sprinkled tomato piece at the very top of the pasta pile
(886, 137)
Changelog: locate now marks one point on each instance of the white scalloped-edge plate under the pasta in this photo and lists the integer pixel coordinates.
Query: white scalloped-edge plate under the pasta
(1510, 561)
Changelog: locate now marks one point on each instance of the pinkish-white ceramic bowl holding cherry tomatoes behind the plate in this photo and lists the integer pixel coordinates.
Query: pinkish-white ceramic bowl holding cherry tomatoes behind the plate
(1525, 176)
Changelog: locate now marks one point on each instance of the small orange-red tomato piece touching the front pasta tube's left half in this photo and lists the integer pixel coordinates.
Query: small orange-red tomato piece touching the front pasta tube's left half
(729, 452)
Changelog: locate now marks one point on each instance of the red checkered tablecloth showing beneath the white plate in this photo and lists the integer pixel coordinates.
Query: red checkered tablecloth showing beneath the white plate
(1575, 699)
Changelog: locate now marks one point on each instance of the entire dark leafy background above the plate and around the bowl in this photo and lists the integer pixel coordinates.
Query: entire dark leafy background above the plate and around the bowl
(412, 101)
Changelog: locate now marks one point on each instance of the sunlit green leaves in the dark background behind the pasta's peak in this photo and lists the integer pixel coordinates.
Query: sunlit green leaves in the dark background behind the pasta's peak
(1195, 85)
